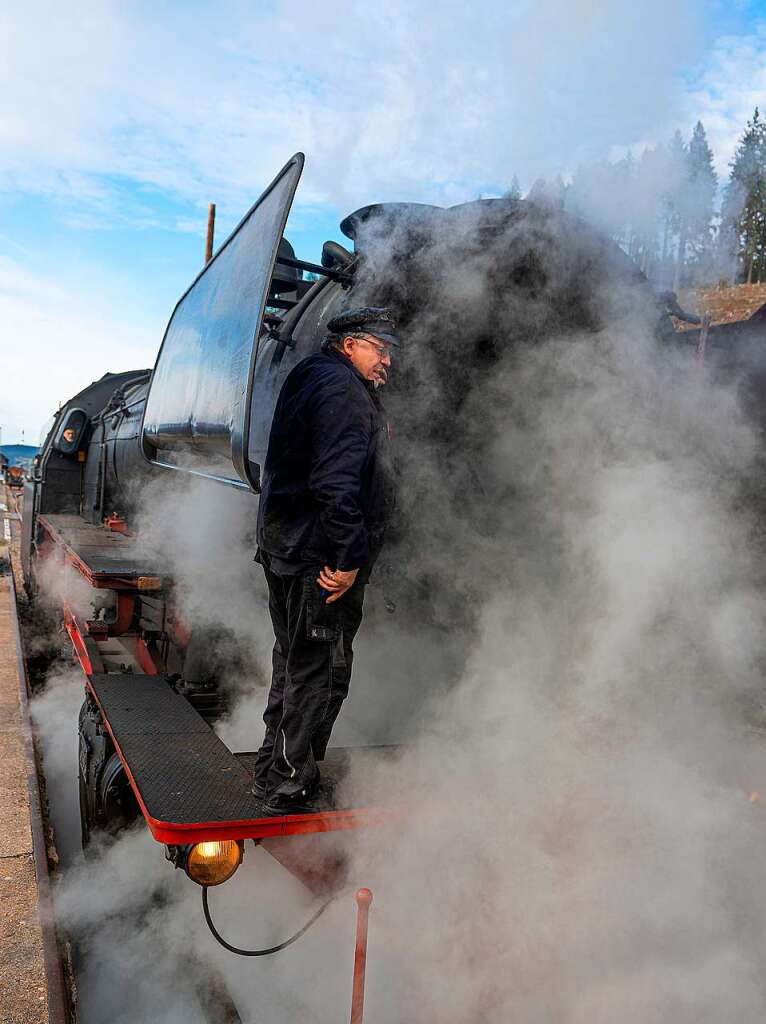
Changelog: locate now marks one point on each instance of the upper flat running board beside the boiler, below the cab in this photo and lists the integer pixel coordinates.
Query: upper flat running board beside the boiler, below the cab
(103, 552)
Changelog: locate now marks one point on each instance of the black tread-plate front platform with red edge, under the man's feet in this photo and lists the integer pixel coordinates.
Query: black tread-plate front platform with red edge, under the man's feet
(192, 788)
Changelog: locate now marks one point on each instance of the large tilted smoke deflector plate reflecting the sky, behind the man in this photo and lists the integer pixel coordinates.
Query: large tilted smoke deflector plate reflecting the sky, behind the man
(199, 409)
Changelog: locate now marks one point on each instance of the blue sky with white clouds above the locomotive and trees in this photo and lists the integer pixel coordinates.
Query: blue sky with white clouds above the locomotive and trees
(120, 122)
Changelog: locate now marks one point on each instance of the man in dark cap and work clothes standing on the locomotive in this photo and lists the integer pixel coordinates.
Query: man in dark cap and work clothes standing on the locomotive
(324, 504)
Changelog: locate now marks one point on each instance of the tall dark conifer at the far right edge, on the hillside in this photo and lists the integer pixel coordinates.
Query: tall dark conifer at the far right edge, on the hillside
(744, 214)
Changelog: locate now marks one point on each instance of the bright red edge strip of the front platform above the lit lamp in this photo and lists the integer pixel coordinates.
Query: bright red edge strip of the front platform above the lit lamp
(176, 834)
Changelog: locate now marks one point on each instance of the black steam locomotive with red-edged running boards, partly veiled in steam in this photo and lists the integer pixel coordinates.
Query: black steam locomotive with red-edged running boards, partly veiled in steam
(204, 413)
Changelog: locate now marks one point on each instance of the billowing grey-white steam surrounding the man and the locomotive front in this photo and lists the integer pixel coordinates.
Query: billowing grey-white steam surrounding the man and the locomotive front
(576, 661)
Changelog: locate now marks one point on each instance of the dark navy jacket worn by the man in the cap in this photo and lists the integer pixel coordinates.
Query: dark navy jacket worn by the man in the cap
(326, 487)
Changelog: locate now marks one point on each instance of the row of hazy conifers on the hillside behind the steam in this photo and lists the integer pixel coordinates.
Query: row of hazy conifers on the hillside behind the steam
(667, 207)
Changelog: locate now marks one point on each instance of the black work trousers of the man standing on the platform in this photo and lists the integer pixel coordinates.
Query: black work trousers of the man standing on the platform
(312, 670)
